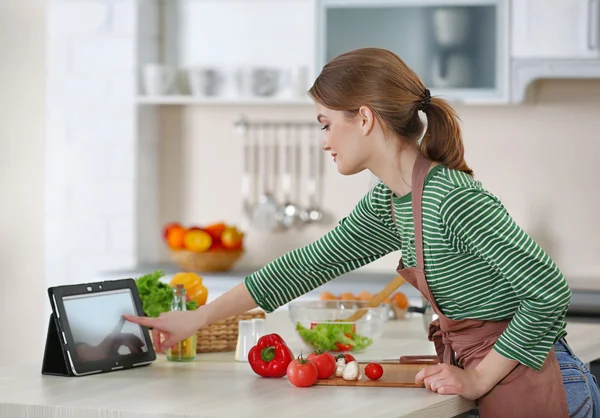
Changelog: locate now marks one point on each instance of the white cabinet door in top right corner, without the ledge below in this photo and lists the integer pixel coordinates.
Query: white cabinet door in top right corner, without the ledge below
(558, 29)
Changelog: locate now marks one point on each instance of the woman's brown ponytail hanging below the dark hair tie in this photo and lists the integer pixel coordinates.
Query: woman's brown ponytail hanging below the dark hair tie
(442, 141)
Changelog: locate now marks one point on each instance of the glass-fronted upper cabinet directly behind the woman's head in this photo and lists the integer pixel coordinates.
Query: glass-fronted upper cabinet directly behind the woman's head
(459, 48)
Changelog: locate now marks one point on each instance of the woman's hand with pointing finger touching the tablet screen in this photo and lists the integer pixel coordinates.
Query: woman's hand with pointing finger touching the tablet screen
(174, 326)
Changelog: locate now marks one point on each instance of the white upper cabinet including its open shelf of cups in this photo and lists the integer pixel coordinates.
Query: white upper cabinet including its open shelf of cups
(229, 52)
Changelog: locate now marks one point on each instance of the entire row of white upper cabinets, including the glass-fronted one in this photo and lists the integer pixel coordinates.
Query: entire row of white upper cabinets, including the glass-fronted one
(469, 51)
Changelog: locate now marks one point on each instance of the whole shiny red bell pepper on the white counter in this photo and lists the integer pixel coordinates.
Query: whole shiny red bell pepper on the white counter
(270, 356)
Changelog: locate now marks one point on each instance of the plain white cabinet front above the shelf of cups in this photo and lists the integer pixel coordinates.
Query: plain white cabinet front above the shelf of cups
(241, 32)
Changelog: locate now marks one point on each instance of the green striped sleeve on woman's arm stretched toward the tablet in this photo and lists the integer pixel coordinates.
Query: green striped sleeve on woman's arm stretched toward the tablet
(357, 240)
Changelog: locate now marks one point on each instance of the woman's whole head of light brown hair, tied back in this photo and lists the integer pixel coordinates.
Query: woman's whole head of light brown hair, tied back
(378, 78)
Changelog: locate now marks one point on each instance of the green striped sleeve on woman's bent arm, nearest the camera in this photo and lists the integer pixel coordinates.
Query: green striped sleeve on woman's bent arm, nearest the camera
(476, 221)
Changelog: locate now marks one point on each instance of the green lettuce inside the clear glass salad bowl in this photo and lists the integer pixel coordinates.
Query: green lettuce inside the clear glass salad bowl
(326, 337)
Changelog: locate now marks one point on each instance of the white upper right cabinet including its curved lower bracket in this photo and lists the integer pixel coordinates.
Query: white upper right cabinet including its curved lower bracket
(551, 40)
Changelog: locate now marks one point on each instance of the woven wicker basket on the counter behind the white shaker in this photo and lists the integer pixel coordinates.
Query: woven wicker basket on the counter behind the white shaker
(222, 336)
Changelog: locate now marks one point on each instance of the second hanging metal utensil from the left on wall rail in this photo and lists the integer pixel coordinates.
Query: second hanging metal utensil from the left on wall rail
(266, 209)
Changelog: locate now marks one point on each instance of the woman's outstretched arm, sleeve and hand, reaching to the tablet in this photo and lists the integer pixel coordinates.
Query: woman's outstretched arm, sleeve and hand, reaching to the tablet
(357, 240)
